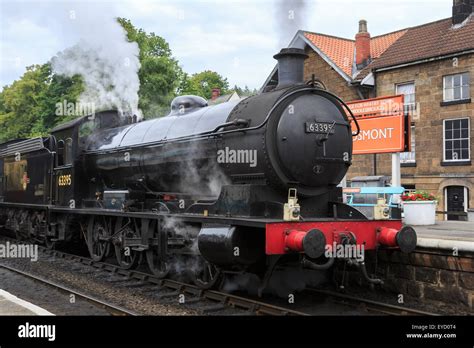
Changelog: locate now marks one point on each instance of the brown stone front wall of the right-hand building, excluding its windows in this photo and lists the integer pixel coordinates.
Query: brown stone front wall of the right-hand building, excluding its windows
(429, 172)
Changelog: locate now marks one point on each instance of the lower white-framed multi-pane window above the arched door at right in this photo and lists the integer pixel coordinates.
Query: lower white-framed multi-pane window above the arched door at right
(456, 140)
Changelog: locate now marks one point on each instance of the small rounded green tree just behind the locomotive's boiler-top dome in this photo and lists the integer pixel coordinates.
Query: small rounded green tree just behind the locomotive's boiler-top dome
(203, 83)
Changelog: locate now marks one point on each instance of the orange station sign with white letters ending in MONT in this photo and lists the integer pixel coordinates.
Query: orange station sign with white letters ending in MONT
(382, 125)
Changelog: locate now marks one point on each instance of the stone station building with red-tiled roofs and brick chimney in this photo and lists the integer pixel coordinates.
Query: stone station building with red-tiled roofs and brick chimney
(432, 65)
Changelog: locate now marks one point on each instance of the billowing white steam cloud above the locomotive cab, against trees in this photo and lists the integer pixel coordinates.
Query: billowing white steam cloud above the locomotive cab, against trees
(107, 62)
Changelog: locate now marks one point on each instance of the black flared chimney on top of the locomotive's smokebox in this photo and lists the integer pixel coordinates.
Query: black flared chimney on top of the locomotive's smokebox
(290, 66)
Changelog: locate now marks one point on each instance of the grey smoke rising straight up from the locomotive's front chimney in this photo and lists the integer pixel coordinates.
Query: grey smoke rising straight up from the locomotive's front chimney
(290, 17)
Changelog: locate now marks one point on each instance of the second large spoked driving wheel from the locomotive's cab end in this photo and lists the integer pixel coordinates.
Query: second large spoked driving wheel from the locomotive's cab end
(127, 258)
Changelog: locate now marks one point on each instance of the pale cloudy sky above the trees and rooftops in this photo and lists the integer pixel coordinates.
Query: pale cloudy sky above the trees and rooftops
(236, 38)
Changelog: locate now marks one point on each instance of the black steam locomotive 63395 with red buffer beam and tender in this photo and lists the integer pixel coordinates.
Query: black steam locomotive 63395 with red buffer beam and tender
(241, 186)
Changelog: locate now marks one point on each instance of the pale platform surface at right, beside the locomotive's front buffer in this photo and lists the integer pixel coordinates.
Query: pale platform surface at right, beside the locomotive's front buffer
(447, 235)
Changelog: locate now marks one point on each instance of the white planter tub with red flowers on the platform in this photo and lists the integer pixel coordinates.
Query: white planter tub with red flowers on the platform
(419, 208)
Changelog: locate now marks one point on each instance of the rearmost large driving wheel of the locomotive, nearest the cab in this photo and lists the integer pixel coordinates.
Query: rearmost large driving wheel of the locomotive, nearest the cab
(98, 238)
